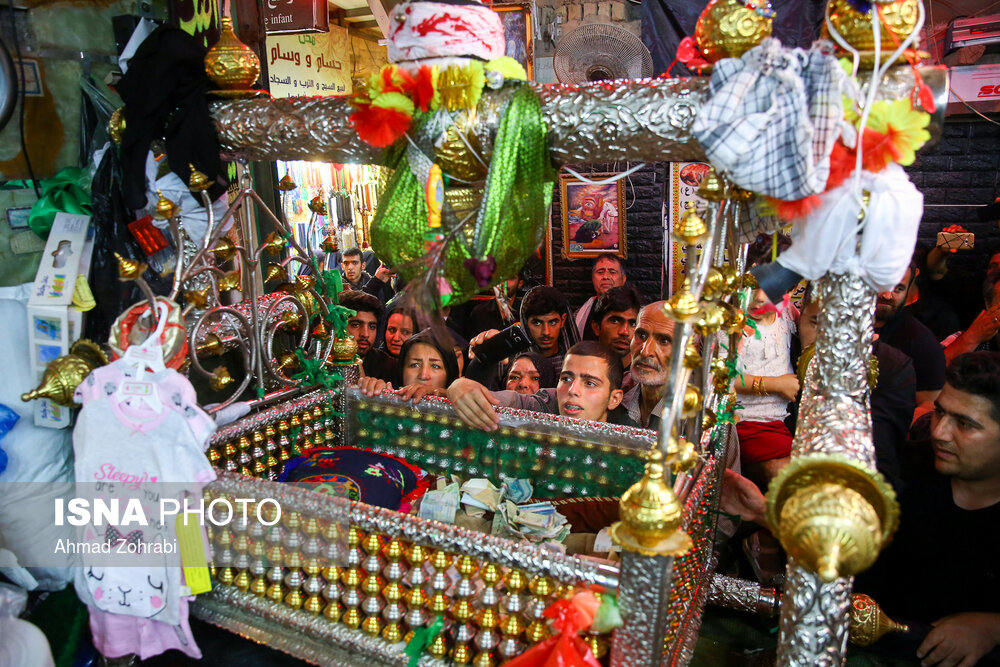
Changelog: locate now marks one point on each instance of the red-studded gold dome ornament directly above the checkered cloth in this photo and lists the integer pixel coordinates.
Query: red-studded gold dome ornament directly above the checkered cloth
(730, 28)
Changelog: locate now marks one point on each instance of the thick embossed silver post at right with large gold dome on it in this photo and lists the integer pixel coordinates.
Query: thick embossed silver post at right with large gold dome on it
(831, 509)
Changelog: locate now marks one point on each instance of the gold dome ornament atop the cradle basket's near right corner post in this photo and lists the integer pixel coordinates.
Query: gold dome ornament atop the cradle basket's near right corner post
(651, 515)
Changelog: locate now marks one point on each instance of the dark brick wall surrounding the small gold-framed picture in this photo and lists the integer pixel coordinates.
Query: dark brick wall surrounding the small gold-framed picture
(644, 235)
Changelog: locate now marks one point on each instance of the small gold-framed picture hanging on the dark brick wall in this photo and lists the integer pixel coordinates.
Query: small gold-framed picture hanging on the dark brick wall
(593, 216)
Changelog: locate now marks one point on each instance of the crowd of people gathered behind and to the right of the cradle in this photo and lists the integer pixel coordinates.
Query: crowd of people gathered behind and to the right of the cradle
(935, 410)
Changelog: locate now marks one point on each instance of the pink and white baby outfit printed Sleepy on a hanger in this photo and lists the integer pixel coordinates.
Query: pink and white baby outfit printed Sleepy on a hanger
(130, 444)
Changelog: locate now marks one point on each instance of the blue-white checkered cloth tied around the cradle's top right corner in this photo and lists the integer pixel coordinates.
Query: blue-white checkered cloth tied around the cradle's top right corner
(772, 119)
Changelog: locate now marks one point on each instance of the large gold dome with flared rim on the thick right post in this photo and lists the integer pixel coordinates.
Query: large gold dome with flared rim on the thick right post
(832, 514)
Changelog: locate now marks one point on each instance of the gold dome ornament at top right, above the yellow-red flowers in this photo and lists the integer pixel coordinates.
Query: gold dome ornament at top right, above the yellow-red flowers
(898, 20)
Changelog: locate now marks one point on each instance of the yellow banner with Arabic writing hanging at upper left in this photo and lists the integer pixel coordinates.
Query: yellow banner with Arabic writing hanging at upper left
(307, 65)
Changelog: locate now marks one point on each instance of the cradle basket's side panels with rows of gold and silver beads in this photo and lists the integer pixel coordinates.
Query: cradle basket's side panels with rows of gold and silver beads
(335, 580)
